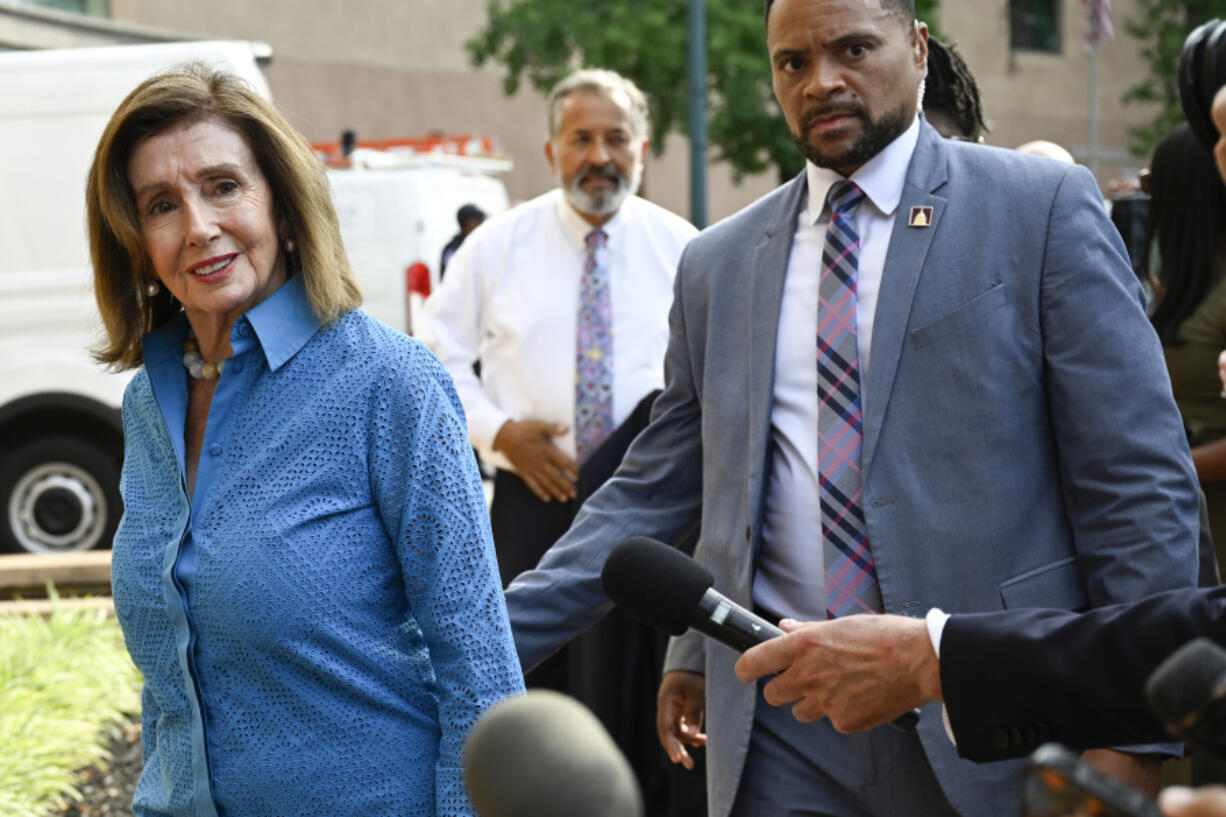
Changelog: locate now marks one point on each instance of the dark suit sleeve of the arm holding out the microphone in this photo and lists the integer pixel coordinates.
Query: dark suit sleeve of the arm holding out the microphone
(1017, 678)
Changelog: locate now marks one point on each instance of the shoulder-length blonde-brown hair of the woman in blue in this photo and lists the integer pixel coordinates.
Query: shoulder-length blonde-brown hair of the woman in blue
(122, 267)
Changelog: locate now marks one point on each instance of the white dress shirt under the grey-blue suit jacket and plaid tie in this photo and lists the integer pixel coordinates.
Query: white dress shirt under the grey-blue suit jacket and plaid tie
(789, 576)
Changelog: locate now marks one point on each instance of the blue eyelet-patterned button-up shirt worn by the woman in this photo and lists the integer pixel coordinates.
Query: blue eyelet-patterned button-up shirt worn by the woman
(322, 624)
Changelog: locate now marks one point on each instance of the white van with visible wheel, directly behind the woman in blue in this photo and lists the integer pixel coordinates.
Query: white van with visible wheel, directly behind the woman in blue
(61, 434)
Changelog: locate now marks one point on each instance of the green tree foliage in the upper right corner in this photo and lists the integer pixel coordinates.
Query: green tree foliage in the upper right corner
(1163, 26)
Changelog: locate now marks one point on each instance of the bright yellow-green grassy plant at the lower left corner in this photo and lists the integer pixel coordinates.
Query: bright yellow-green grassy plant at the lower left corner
(64, 681)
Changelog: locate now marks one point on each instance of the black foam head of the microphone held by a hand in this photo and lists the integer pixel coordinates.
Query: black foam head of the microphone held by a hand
(655, 583)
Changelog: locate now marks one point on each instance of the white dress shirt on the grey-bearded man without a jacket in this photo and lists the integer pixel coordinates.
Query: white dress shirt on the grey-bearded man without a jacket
(511, 300)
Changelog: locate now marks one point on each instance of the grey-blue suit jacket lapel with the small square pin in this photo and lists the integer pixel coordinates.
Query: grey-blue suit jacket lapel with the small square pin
(904, 263)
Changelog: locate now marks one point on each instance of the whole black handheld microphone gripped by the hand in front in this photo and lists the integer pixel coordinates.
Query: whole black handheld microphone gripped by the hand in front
(669, 591)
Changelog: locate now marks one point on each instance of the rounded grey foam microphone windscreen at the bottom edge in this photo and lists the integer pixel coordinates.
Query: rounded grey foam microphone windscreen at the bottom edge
(545, 755)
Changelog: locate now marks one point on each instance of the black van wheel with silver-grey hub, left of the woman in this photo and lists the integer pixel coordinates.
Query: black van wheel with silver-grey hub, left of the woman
(58, 495)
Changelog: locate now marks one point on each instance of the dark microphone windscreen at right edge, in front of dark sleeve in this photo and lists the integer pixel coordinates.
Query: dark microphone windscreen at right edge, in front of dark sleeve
(1187, 685)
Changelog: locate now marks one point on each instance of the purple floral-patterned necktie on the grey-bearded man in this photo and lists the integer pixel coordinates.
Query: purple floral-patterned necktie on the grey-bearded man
(594, 351)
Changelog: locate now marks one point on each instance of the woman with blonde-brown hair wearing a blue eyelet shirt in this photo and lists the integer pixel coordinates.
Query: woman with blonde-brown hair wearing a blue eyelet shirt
(305, 571)
